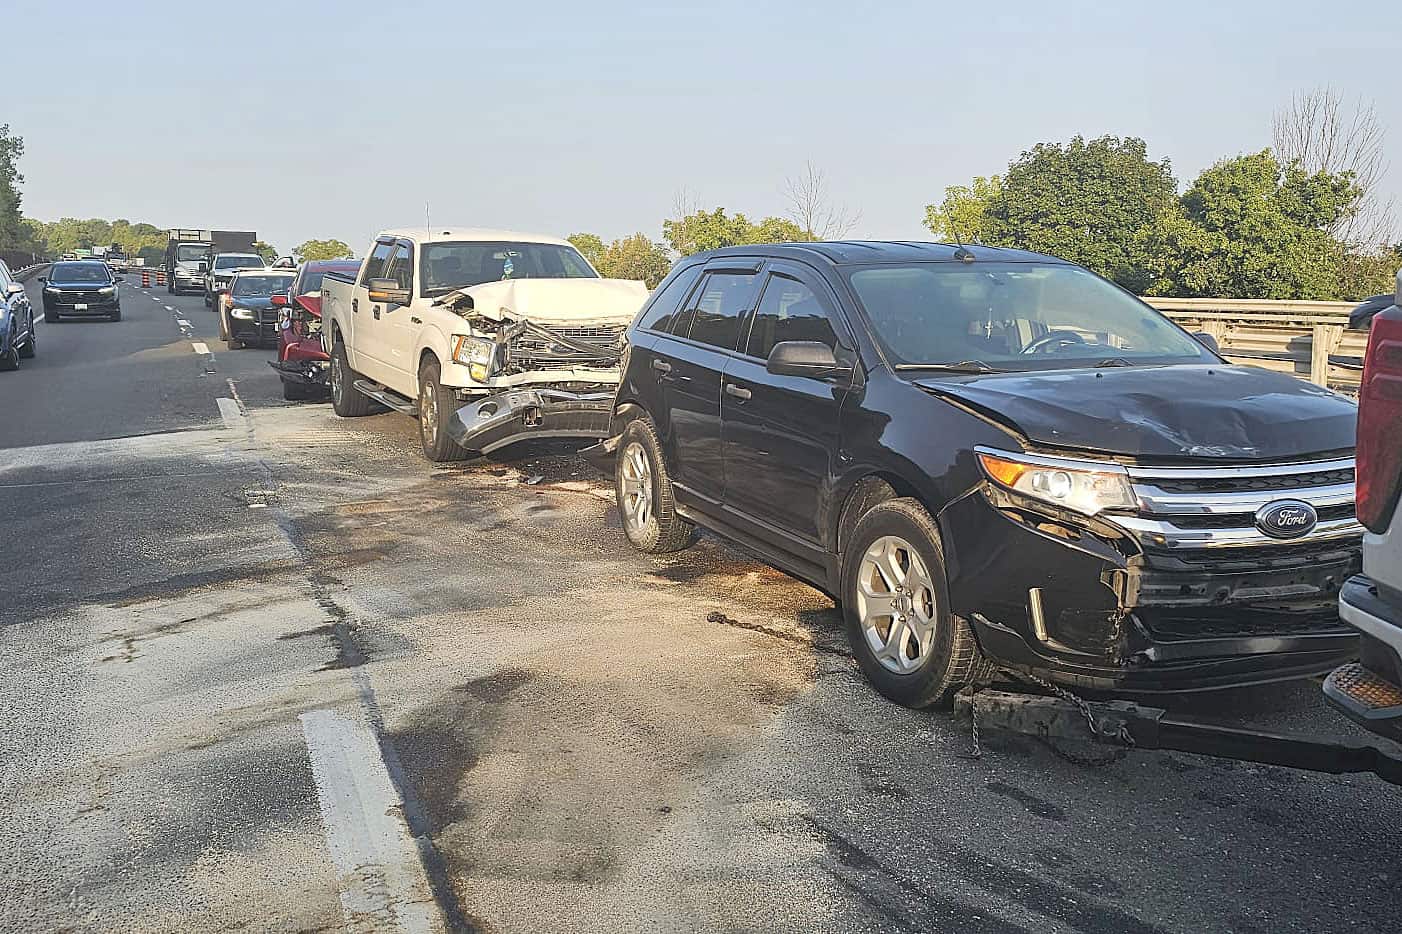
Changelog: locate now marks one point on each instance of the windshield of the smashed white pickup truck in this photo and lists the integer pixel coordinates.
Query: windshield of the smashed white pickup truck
(458, 266)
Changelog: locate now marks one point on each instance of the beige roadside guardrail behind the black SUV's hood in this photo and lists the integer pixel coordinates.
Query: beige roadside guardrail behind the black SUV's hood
(1309, 340)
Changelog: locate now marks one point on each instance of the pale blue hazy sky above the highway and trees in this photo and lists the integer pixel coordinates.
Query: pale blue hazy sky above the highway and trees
(334, 120)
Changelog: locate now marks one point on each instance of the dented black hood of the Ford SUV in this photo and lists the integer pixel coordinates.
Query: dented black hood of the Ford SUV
(1236, 413)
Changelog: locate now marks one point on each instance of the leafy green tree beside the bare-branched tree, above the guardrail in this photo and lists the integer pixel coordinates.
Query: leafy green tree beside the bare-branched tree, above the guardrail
(1253, 229)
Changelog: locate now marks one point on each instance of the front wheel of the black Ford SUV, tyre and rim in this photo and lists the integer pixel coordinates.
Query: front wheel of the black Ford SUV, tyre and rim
(897, 605)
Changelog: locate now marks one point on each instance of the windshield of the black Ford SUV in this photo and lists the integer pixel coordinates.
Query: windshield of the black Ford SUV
(1005, 316)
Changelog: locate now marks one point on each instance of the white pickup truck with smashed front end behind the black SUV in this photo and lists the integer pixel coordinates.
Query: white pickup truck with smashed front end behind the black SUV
(487, 336)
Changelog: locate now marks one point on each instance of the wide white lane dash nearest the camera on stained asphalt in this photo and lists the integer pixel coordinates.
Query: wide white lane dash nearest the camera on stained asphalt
(381, 877)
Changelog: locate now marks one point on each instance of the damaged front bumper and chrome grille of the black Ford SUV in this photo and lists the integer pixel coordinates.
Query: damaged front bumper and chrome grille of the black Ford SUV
(1181, 591)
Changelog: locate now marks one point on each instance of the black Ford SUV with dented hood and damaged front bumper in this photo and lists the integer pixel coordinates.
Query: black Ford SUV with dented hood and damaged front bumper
(992, 458)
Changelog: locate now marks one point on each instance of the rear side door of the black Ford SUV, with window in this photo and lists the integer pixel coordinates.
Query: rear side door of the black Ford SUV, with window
(689, 364)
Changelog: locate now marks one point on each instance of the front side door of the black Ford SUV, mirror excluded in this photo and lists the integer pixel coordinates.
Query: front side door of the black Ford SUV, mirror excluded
(780, 434)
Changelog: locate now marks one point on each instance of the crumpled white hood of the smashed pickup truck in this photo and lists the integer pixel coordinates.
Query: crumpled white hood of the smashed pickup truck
(545, 301)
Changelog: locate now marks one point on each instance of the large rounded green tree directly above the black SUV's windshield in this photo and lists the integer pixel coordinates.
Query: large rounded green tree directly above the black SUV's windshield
(1089, 203)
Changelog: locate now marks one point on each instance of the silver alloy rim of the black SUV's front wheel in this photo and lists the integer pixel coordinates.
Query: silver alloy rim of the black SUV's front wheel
(897, 605)
